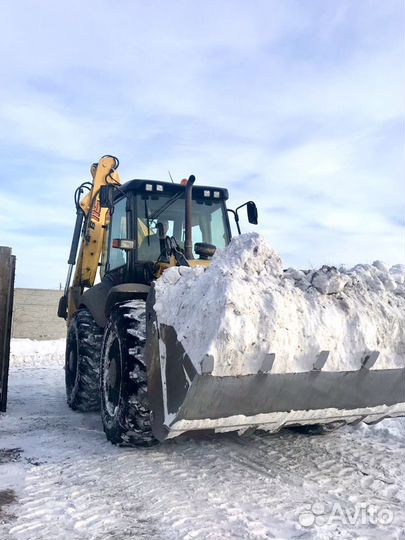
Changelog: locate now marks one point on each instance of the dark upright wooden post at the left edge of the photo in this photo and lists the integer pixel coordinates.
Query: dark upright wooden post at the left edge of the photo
(7, 273)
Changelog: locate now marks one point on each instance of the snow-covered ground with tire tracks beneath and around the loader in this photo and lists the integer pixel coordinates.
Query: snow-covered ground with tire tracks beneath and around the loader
(61, 479)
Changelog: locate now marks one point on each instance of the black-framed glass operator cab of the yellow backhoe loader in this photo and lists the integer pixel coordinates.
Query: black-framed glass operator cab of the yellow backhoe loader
(147, 212)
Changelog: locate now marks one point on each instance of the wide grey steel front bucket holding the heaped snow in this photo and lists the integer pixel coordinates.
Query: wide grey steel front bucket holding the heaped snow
(183, 398)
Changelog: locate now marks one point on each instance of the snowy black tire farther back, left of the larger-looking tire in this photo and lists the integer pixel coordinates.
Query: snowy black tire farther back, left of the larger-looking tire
(82, 362)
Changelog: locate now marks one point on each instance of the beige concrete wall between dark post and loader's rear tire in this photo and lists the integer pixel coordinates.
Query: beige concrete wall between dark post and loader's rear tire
(34, 314)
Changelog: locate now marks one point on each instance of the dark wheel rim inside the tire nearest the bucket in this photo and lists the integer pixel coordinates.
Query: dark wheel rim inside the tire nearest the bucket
(112, 377)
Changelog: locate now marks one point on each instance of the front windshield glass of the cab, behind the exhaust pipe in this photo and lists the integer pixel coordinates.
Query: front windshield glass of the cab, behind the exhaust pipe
(208, 225)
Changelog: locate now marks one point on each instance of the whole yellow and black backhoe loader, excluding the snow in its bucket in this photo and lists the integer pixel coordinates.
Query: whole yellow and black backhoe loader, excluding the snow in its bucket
(120, 358)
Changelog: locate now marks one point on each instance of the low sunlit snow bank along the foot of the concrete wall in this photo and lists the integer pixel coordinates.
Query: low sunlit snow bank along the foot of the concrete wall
(32, 353)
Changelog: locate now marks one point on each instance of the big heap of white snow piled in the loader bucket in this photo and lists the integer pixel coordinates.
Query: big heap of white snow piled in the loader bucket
(244, 310)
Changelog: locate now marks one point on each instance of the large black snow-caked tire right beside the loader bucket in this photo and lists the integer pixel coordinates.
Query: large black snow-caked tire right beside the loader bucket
(123, 383)
